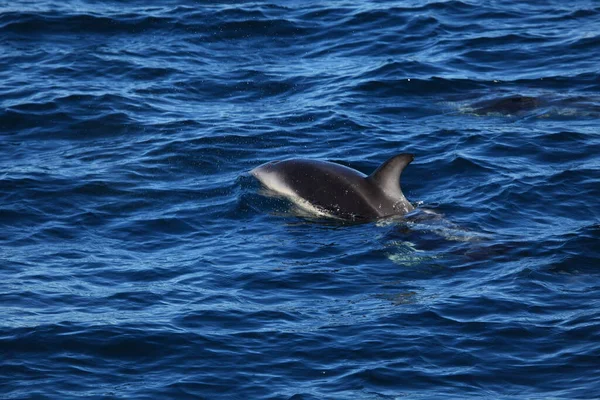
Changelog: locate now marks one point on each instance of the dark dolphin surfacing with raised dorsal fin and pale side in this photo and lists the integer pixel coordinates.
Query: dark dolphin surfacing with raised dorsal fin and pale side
(334, 190)
